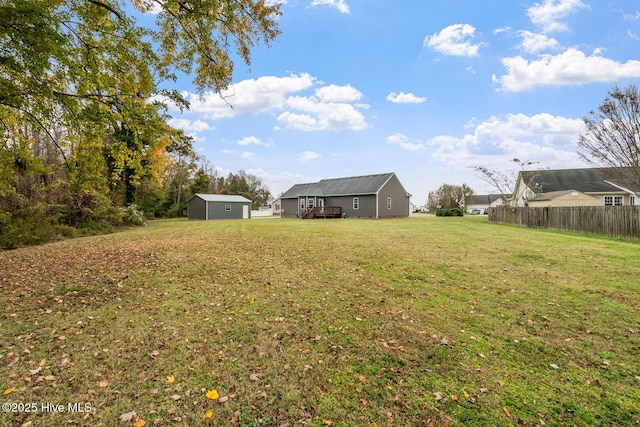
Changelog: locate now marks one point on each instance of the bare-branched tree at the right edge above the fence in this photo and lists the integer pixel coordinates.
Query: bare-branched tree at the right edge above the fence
(612, 135)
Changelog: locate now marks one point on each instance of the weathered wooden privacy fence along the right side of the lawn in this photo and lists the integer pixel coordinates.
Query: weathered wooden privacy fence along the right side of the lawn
(613, 221)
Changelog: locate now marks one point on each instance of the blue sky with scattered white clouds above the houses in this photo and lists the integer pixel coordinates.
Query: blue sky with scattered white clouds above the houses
(425, 89)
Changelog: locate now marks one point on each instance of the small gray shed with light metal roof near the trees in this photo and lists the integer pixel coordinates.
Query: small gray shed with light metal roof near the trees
(218, 206)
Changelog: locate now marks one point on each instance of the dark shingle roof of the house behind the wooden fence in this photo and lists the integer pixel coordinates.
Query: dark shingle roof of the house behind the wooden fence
(588, 180)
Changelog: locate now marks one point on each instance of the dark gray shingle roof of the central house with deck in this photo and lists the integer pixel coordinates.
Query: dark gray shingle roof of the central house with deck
(367, 184)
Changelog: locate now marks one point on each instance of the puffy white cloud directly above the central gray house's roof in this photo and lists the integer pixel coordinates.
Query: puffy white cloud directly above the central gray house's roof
(316, 115)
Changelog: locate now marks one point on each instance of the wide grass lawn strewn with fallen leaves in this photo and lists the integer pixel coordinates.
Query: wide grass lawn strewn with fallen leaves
(412, 322)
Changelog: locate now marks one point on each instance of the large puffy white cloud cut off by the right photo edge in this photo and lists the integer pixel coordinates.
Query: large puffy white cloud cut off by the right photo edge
(571, 67)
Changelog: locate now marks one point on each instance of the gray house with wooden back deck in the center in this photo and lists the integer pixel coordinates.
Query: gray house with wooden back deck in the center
(370, 196)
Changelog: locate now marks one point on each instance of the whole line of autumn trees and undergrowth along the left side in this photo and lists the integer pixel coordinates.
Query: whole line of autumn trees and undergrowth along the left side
(83, 108)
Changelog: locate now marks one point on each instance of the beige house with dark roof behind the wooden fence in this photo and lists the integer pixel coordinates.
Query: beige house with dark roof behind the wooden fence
(574, 187)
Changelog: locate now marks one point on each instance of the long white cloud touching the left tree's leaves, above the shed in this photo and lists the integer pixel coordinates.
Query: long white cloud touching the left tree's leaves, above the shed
(250, 96)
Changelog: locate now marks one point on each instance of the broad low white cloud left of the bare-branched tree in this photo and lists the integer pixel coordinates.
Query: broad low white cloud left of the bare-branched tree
(545, 138)
